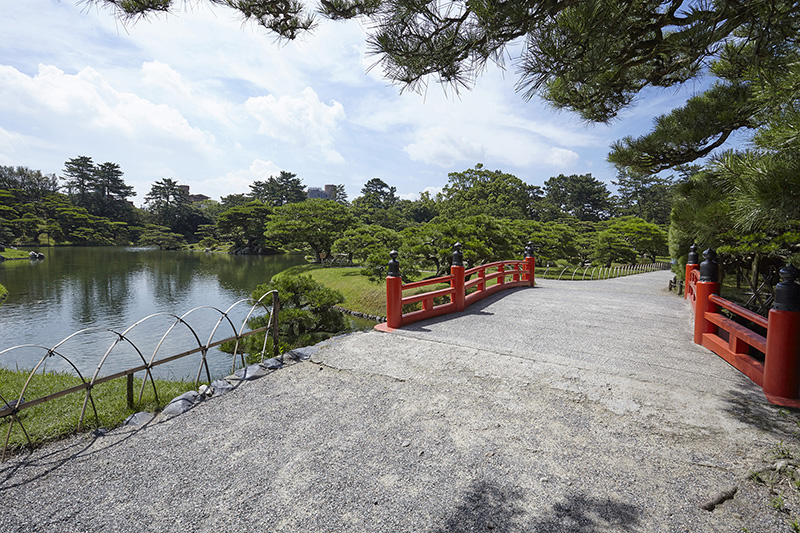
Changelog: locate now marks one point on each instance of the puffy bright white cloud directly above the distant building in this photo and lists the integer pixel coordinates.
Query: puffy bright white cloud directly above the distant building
(303, 120)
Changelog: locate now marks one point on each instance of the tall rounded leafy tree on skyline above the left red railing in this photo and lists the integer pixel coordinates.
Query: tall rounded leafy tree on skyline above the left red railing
(480, 191)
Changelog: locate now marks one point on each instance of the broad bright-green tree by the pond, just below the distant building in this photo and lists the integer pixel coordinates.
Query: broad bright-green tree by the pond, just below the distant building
(315, 224)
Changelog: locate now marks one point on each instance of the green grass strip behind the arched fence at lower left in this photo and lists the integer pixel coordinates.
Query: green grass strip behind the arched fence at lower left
(59, 418)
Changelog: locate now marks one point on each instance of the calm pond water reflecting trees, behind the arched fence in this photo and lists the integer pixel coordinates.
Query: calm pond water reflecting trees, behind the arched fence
(114, 287)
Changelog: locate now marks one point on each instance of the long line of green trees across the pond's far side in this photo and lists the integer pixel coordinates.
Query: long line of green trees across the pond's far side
(570, 218)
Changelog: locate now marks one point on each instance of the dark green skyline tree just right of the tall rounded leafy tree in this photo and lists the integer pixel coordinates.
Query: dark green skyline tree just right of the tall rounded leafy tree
(581, 196)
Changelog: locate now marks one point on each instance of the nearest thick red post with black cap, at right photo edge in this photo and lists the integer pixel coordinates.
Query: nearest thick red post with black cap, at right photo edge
(782, 360)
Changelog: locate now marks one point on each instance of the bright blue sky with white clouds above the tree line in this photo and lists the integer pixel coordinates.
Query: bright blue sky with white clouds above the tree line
(214, 103)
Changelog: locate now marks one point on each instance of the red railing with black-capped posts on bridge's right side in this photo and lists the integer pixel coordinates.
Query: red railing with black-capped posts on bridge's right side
(771, 361)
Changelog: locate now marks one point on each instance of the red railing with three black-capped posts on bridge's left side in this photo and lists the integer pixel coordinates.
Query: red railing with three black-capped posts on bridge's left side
(466, 286)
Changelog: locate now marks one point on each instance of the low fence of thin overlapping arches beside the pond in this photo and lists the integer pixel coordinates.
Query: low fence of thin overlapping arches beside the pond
(13, 407)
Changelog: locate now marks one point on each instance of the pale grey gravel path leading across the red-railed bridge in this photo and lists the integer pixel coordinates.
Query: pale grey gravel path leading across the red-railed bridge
(574, 406)
